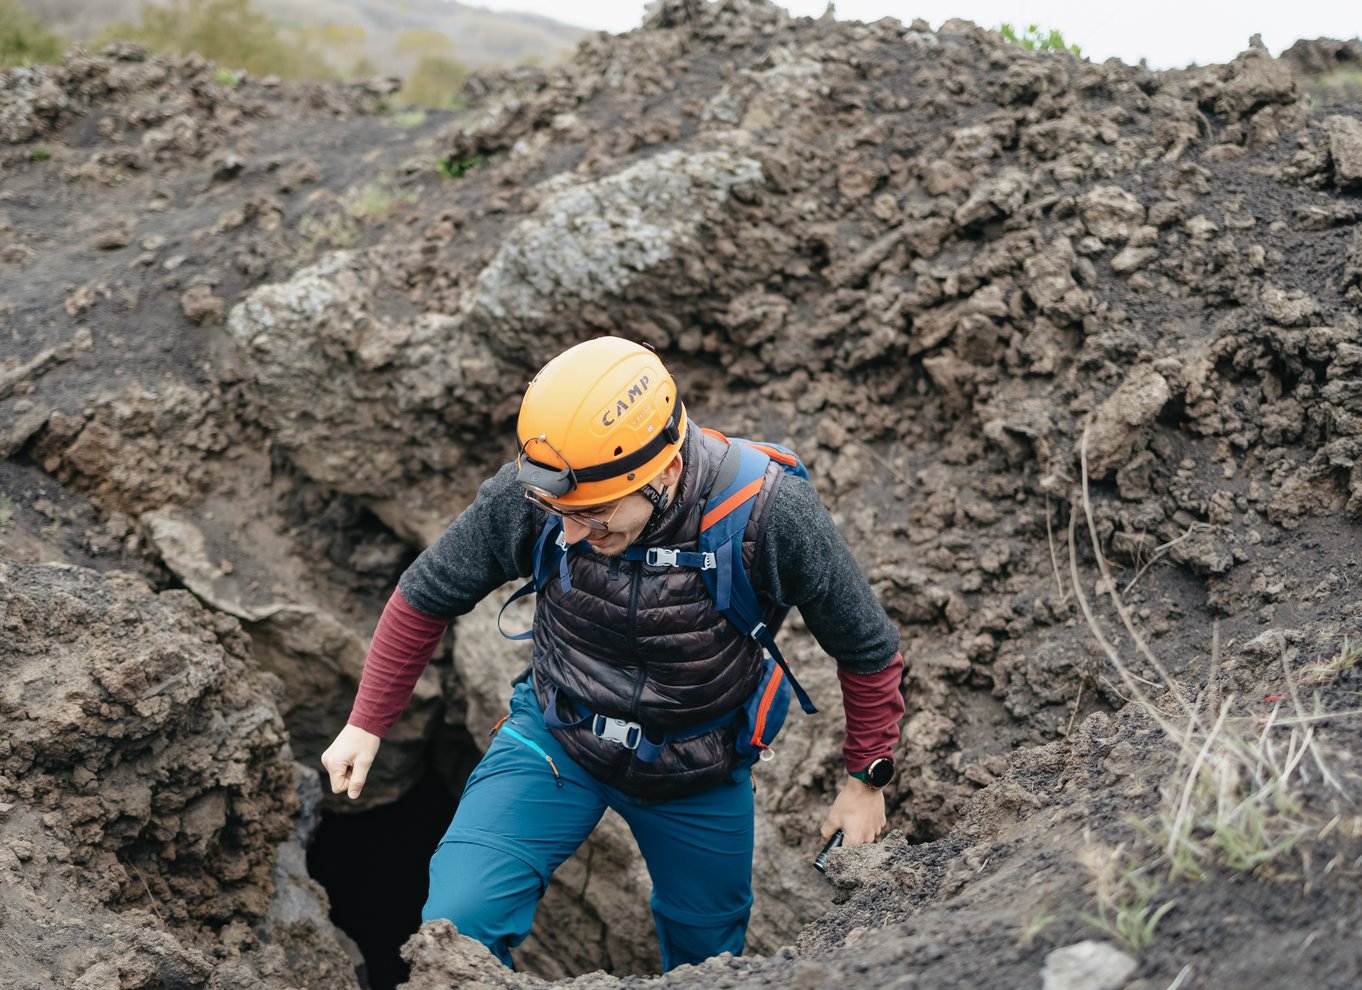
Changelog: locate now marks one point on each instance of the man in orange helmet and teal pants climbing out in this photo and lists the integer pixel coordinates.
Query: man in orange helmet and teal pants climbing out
(644, 695)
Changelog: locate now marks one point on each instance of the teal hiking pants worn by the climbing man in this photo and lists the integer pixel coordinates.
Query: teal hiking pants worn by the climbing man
(521, 816)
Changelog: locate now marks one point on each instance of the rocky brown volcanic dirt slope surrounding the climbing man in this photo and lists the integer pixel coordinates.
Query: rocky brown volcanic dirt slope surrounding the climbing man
(1029, 319)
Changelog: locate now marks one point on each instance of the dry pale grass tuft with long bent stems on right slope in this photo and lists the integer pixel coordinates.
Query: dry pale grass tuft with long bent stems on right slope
(1243, 788)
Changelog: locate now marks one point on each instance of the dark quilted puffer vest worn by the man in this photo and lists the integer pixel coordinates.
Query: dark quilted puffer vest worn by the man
(646, 645)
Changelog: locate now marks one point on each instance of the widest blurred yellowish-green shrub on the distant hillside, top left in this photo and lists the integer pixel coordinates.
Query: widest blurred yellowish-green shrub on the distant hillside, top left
(232, 33)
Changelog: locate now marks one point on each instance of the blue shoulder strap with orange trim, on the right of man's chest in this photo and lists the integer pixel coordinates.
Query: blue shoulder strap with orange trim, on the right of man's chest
(723, 526)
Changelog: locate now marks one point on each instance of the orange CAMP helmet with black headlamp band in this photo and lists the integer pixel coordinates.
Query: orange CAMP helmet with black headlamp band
(599, 423)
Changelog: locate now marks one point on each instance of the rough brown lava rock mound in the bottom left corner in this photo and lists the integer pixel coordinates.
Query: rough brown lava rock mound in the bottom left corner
(148, 791)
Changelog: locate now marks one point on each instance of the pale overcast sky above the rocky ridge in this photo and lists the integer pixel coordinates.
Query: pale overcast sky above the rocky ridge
(1168, 33)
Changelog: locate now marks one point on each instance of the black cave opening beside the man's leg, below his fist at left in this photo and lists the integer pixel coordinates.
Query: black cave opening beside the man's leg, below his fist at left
(374, 867)
